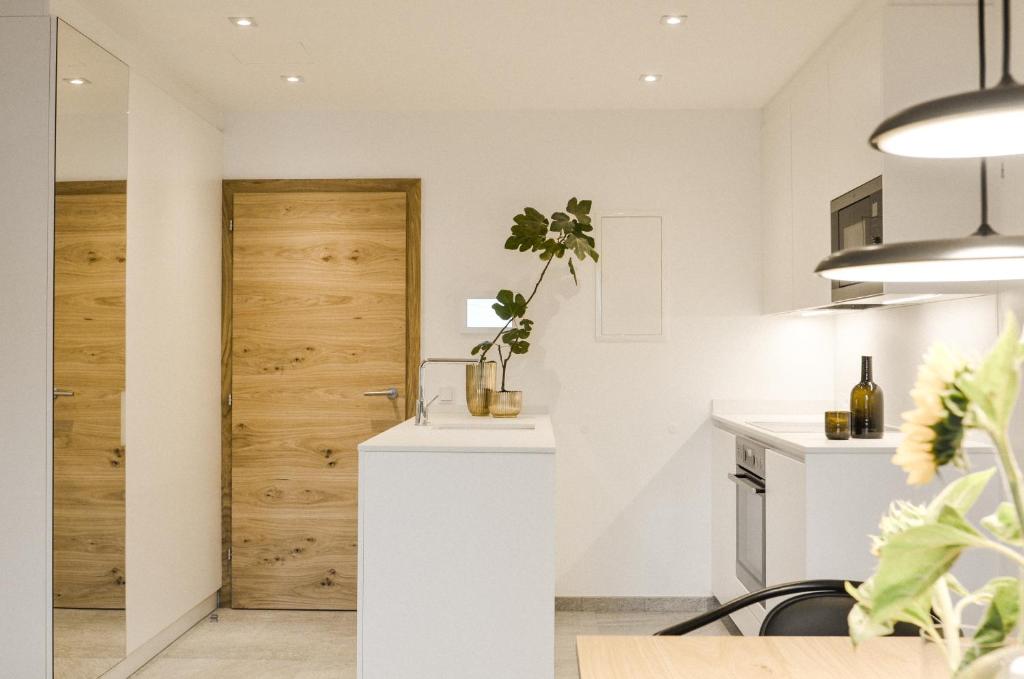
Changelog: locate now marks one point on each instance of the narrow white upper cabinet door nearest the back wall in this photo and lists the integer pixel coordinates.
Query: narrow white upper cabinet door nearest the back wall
(777, 206)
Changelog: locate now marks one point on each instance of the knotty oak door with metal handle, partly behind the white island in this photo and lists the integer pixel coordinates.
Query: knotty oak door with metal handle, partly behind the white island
(320, 317)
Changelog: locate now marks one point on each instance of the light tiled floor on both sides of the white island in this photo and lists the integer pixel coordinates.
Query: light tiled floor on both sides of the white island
(258, 645)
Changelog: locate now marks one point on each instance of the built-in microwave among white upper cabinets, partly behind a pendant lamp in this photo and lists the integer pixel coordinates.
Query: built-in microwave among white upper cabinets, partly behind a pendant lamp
(857, 223)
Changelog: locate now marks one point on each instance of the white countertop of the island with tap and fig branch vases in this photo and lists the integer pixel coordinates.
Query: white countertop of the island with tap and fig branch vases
(527, 434)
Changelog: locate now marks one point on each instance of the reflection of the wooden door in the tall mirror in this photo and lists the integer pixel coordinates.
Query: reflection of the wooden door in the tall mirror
(90, 360)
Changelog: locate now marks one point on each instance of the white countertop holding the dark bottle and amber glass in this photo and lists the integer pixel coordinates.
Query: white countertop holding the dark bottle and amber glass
(817, 444)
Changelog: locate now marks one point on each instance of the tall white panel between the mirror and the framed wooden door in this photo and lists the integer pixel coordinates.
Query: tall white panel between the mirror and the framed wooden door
(174, 362)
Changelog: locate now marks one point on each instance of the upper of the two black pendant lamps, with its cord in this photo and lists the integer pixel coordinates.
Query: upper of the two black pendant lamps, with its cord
(984, 123)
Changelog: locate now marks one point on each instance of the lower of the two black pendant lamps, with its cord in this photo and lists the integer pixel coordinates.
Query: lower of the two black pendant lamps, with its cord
(983, 257)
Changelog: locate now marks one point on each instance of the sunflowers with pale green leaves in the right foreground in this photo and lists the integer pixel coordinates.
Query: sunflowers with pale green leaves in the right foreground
(919, 544)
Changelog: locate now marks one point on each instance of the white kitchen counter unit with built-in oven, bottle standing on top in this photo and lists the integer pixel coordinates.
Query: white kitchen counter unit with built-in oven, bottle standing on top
(820, 502)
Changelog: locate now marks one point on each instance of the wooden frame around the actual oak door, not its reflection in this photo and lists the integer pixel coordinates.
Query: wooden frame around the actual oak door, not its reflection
(234, 187)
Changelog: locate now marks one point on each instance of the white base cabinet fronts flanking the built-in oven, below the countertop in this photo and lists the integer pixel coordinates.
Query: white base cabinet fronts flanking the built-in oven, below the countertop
(820, 514)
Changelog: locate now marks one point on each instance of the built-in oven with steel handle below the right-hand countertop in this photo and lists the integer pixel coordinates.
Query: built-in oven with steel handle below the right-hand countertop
(750, 482)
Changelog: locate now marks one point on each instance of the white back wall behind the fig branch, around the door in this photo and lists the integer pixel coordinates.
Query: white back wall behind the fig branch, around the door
(633, 506)
